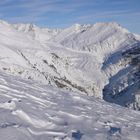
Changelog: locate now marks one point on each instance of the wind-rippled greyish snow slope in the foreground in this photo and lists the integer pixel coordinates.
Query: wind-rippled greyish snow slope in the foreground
(30, 111)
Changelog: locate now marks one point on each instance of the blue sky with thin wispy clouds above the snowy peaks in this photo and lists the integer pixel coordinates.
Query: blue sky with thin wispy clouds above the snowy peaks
(63, 13)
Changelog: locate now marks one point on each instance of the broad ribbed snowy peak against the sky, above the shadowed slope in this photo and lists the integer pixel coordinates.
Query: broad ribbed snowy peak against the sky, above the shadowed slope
(102, 38)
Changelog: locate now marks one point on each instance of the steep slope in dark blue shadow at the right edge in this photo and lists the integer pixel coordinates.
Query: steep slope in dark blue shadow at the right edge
(124, 87)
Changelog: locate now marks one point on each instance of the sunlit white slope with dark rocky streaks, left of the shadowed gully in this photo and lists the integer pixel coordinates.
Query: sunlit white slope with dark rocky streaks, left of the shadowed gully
(49, 62)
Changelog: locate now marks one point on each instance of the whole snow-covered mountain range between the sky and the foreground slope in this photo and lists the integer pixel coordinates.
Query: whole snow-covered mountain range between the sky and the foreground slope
(100, 60)
